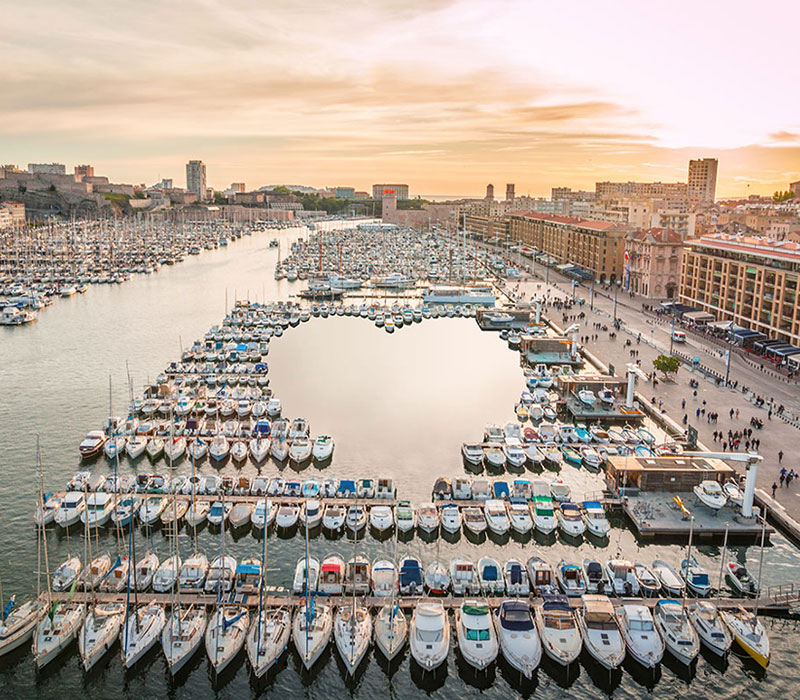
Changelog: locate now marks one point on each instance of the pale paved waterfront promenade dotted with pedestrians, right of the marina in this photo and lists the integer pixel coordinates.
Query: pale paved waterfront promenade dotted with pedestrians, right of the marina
(776, 435)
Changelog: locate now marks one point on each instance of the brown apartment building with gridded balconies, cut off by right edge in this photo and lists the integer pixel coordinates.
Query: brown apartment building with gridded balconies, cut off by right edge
(750, 280)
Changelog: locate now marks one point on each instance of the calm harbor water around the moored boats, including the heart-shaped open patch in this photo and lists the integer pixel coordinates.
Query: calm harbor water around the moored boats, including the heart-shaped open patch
(397, 405)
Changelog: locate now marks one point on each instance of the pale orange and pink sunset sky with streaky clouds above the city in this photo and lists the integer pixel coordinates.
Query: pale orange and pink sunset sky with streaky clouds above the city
(446, 95)
